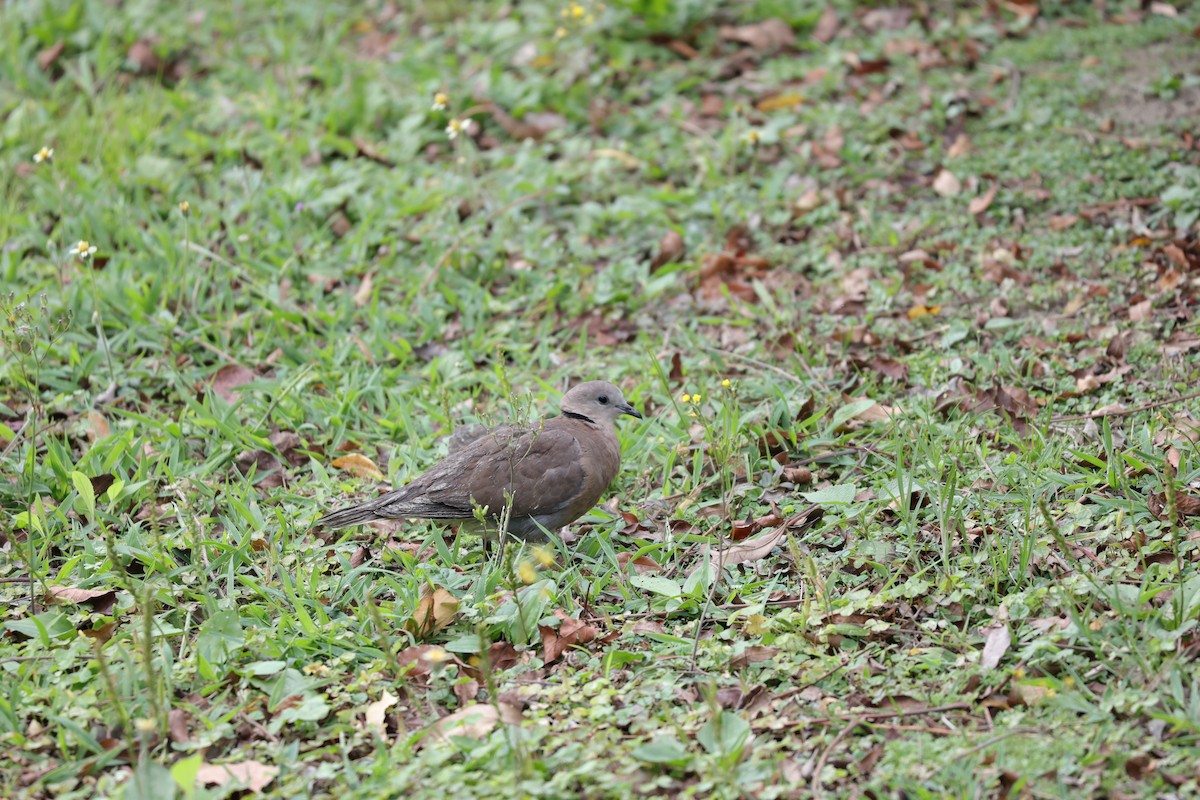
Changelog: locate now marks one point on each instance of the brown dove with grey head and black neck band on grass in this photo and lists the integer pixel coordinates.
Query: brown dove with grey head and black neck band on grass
(551, 472)
